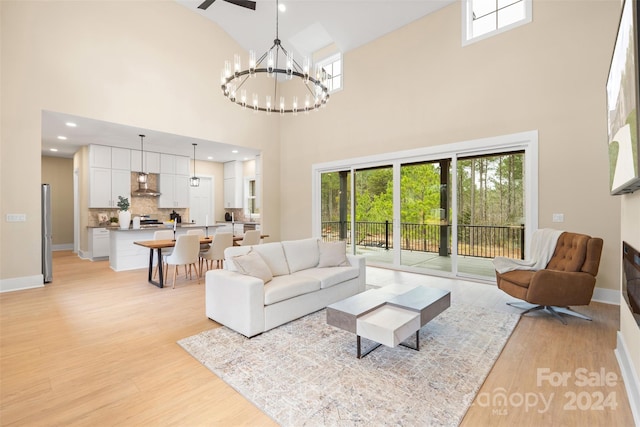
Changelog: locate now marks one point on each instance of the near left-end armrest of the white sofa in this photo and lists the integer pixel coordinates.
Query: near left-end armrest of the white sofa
(235, 300)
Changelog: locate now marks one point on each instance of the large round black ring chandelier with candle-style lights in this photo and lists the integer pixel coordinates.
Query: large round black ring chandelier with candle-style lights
(310, 91)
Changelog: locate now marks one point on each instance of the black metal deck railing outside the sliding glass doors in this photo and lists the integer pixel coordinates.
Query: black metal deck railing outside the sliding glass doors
(483, 241)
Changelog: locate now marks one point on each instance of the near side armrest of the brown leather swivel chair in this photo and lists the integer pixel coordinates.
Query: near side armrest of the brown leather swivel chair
(561, 288)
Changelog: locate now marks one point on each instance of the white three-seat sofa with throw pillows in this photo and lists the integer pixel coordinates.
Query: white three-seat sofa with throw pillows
(307, 275)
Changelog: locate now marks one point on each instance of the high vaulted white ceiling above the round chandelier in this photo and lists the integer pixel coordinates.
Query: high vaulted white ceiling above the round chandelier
(308, 25)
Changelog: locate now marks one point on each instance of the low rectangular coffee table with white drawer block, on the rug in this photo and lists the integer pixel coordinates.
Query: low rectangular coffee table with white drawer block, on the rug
(388, 315)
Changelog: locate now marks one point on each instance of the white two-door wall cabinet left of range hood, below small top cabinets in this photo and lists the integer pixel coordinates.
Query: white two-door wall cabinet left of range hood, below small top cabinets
(105, 185)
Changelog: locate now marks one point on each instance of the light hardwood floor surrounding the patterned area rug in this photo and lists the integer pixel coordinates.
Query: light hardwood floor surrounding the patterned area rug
(97, 347)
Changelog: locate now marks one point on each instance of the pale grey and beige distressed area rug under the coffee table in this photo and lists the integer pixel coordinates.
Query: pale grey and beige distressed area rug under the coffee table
(305, 373)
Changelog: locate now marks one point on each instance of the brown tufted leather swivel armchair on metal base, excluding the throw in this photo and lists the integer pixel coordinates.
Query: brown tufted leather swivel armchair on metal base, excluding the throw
(568, 279)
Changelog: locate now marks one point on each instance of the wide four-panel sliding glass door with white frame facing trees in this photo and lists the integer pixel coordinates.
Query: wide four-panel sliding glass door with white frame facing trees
(444, 214)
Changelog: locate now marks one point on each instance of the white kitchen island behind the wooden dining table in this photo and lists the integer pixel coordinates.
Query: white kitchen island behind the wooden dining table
(125, 255)
